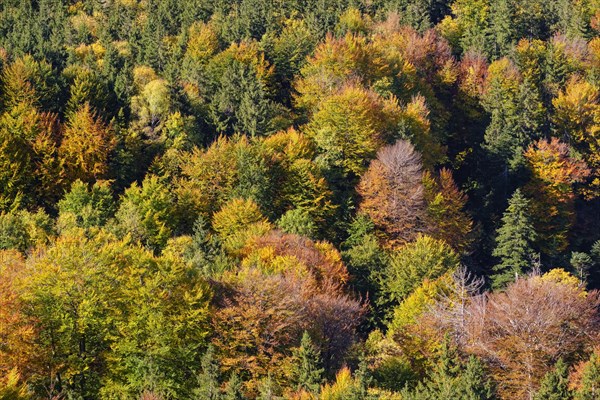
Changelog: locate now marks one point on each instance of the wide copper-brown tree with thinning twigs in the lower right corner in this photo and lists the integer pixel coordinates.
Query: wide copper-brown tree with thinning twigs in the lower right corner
(525, 329)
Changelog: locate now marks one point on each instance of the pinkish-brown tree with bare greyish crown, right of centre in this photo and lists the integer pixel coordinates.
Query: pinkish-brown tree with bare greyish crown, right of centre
(392, 193)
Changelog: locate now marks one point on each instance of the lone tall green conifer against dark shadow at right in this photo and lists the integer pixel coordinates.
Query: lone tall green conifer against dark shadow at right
(514, 241)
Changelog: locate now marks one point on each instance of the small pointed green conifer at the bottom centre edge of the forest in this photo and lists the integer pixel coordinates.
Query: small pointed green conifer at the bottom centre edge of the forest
(307, 374)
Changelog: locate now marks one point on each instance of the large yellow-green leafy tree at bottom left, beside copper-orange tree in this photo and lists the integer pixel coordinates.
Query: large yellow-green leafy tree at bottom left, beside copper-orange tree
(160, 322)
